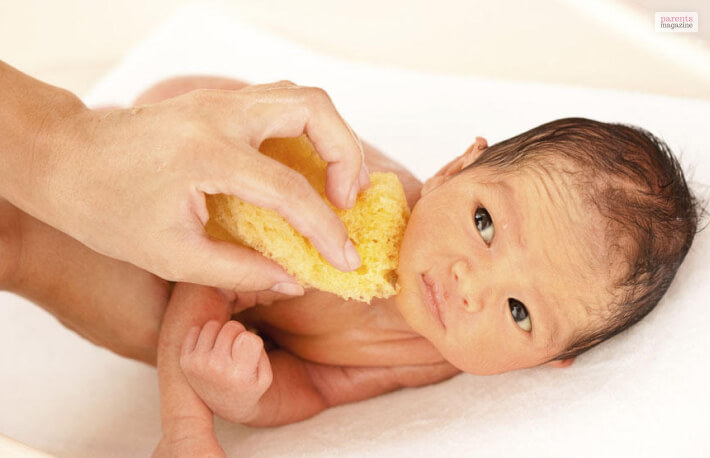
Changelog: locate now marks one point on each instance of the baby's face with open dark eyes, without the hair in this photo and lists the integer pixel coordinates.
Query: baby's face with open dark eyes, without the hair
(499, 270)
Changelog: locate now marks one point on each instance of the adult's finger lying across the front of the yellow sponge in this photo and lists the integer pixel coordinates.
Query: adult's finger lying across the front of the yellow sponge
(266, 183)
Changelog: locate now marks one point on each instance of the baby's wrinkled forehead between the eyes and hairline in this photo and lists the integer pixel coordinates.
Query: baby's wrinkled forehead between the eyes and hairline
(564, 236)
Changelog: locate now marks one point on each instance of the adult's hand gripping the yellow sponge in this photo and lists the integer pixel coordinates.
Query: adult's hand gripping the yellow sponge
(130, 183)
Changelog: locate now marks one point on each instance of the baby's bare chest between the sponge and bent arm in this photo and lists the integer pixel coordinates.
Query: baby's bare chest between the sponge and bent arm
(323, 328)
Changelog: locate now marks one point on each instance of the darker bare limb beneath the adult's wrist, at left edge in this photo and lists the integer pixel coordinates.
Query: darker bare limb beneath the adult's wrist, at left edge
(109, 302)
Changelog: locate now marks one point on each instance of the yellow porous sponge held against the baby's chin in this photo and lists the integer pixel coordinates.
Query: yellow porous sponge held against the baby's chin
(375, 224)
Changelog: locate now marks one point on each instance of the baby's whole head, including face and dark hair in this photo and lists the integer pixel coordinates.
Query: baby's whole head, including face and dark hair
(544, 245)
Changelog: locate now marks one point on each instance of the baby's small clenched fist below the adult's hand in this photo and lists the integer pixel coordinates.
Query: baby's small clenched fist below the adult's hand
(228, 368)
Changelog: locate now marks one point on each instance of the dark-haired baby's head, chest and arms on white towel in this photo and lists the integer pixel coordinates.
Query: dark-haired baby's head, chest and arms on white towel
(524, 253)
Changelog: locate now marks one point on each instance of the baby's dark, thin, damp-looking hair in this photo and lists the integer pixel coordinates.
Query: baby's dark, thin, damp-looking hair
(636, 183)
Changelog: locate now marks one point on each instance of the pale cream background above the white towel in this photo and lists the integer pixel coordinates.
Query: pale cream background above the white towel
(601, 43)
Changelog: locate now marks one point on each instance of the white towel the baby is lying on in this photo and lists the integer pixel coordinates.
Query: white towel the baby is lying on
(643, 393)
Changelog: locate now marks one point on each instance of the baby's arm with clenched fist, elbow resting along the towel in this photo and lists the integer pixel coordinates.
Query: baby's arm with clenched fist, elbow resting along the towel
(229, 369)
